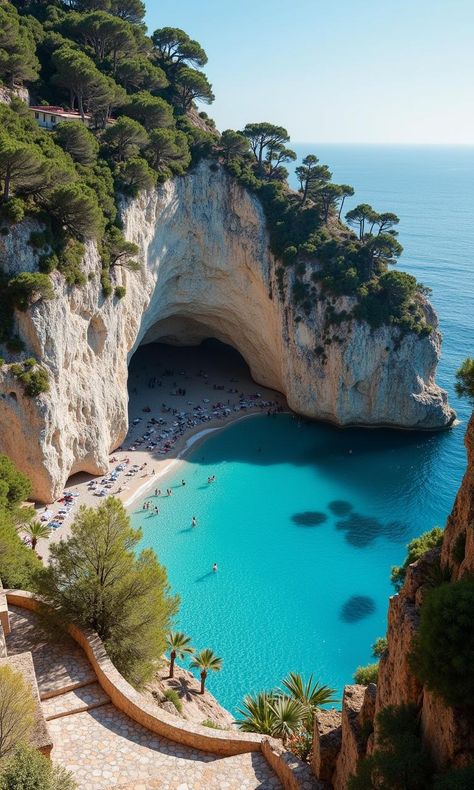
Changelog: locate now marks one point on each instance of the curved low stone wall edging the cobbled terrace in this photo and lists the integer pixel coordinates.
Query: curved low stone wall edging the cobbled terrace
(293, 773)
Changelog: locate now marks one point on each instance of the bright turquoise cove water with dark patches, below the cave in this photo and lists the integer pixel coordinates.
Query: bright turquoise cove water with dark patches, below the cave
(305, 521)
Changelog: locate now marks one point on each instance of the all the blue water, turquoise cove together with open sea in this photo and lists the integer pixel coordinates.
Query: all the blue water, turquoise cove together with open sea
(304, 531)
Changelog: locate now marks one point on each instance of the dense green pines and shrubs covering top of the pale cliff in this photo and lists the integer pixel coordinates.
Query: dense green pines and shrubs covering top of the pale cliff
(137, 125)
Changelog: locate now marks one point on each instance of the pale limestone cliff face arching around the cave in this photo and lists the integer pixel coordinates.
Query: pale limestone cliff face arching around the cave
(208, 273)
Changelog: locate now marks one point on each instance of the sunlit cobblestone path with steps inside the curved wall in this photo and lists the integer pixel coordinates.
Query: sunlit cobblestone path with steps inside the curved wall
(103, 747)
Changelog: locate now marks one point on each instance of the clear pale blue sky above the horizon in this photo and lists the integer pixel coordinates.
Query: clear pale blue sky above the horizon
(388, 71)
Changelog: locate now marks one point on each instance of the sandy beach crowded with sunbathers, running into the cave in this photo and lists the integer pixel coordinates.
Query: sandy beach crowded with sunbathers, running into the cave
(177, 397)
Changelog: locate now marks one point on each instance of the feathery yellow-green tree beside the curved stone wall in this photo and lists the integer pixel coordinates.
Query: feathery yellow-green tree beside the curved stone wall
(96, 579)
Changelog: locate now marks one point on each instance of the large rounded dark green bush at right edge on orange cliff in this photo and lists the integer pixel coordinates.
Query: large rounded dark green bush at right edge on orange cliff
(443, 652)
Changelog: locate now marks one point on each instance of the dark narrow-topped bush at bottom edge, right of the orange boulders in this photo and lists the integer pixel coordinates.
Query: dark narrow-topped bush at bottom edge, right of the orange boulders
(399, 761)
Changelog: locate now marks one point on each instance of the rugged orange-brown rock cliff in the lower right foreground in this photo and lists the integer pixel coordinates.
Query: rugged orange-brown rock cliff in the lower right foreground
(448, 733)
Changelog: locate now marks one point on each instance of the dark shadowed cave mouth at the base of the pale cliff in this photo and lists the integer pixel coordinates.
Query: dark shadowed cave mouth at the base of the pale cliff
(182, 376)
